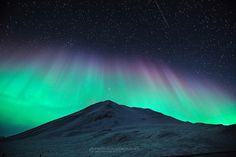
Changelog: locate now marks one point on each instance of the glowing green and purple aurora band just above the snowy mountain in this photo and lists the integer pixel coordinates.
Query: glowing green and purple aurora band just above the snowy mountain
(48, 86)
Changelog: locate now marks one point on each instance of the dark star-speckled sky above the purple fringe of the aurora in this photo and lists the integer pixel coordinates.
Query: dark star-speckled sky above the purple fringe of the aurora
(200, 35)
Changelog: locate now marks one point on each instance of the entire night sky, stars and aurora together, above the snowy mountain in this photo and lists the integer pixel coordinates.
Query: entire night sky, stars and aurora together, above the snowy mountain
(60, 56)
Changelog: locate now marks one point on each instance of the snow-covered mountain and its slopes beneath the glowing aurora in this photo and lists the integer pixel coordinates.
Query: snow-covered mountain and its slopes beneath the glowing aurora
(109, 129)
